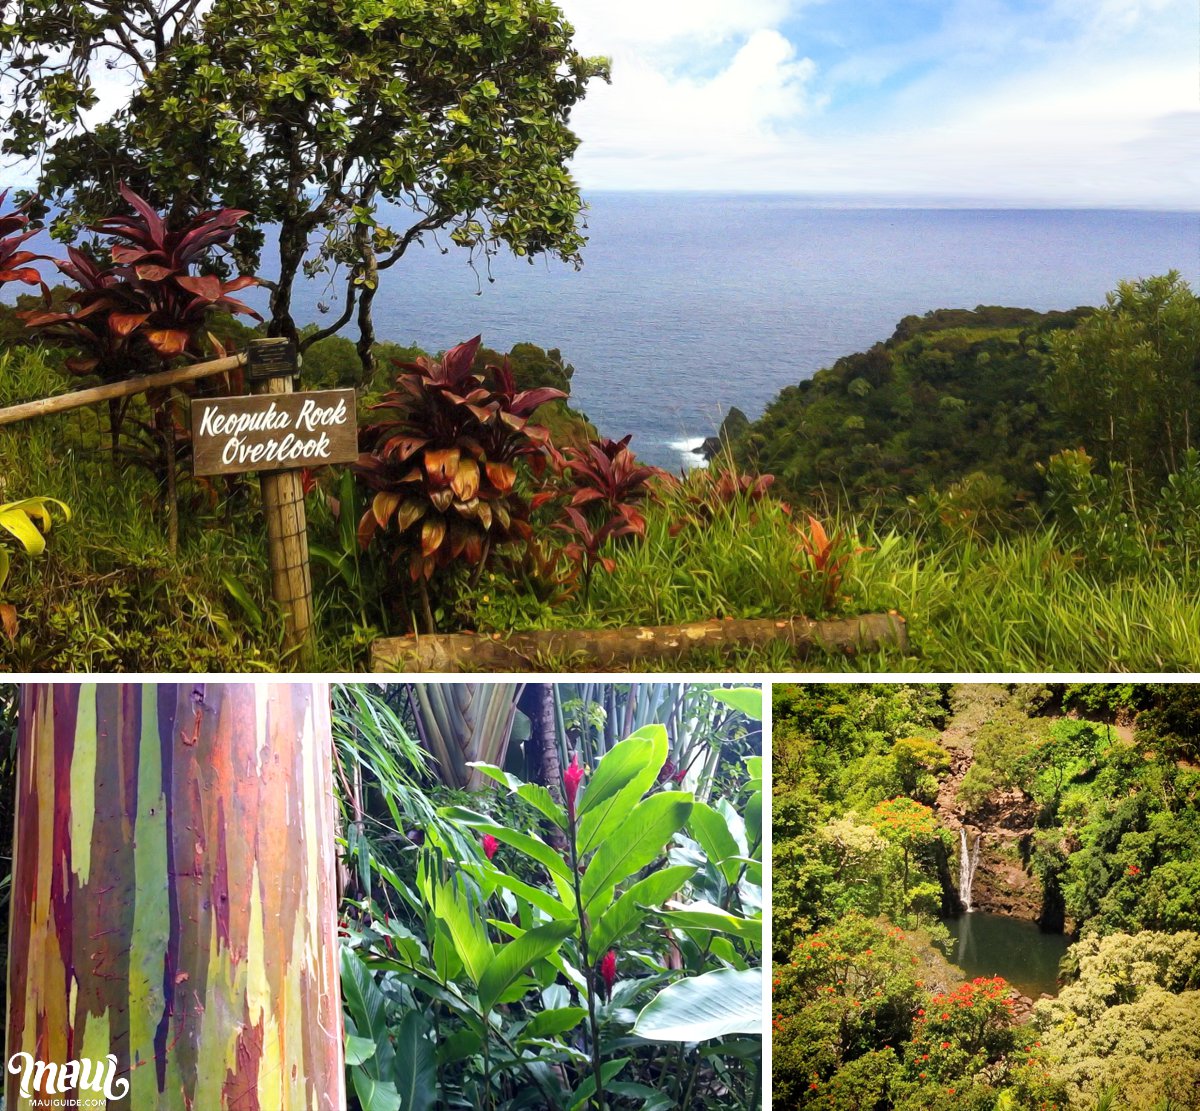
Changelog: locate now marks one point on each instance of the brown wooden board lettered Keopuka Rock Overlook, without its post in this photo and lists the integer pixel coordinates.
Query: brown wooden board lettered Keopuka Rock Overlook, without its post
(274, 433)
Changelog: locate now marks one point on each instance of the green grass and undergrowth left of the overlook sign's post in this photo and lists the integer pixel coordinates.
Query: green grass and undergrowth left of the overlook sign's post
(107, 594)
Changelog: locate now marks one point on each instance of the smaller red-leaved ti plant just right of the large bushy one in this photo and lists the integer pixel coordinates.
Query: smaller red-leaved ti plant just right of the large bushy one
(604, 488)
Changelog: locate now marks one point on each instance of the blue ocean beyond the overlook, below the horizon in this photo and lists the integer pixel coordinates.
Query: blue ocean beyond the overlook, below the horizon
(691, 304)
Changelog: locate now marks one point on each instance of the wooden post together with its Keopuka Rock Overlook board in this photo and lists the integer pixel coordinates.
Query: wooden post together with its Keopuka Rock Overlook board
(278, 433)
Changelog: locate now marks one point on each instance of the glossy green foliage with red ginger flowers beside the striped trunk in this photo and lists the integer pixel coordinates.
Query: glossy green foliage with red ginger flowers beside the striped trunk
(509, 950)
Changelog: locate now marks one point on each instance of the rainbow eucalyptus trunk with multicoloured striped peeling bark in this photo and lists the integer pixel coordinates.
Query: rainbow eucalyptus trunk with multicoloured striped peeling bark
(173, 899)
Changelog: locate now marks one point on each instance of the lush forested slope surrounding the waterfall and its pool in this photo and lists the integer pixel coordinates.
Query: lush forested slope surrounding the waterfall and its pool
(1085, 801)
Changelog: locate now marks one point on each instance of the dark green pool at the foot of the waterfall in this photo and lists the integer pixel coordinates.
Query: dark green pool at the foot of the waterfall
(994, 945)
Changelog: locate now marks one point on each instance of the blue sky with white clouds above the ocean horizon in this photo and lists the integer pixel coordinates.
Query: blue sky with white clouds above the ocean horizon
(1057, 103)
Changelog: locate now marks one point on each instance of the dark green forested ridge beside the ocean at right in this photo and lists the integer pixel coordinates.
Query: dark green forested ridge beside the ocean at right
(964, 410)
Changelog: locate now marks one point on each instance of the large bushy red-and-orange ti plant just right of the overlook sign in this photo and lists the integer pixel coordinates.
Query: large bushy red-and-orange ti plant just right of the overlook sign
(443, 464)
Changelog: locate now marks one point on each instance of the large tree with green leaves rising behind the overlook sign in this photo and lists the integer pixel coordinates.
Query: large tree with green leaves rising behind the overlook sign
(355, 129)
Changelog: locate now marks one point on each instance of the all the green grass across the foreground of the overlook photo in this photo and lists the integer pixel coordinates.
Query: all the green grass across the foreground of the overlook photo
(109, 594)
